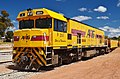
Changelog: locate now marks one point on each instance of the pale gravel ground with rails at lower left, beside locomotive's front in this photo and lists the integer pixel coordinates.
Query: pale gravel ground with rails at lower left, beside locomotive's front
(7, 68)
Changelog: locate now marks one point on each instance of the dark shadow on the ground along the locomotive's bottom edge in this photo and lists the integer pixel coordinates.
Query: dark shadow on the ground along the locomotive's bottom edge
(49, 68)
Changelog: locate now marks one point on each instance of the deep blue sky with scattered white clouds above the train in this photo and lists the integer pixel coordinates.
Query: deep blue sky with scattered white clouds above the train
(103, 14)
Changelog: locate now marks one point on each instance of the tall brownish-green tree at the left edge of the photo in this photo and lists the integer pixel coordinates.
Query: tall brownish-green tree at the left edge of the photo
(4, 22)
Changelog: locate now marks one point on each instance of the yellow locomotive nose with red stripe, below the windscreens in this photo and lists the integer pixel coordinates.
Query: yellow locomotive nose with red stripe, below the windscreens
(29, 38)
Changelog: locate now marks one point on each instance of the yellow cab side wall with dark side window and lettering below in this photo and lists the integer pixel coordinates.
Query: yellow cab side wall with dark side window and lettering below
(59, 33)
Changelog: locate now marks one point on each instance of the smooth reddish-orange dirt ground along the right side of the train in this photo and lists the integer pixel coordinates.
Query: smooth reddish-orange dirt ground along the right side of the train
(101, 67)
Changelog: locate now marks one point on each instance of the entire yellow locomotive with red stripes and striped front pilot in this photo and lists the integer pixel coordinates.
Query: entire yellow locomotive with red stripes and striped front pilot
(48, 38)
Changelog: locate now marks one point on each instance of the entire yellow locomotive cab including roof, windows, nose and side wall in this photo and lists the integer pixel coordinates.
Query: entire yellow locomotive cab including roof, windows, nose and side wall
(37, 26)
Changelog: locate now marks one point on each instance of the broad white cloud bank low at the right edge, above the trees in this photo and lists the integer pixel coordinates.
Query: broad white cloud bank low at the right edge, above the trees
(110, 31)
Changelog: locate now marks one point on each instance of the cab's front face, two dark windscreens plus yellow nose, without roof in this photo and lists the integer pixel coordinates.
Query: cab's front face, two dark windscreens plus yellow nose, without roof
(28, 35)
